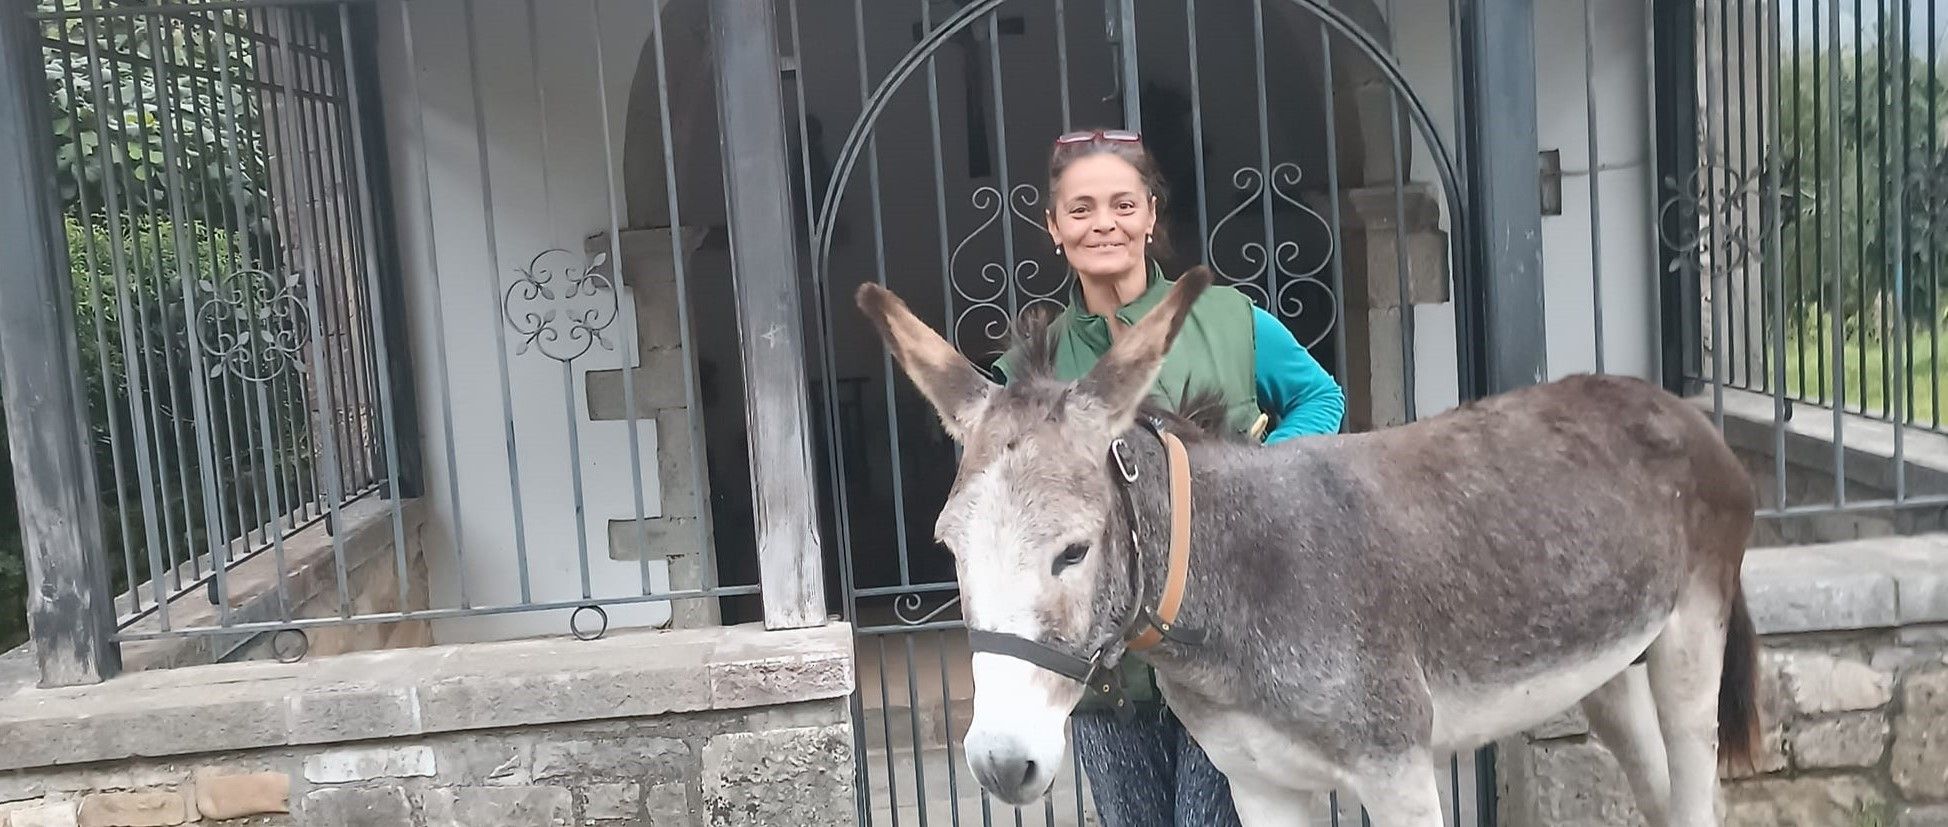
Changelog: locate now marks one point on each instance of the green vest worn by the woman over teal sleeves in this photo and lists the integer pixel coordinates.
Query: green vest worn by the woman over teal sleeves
(1213, 353)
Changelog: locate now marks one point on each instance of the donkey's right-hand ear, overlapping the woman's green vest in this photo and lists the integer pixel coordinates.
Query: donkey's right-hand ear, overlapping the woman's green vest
(1121, 380)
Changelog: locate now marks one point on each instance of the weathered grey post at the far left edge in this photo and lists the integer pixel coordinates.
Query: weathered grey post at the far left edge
(71, 614)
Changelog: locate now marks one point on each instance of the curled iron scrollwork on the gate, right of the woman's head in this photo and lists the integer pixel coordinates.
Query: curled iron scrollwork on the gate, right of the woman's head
(1283, 295)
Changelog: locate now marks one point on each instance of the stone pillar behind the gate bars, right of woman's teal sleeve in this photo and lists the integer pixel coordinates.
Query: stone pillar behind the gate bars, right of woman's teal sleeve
(1376, 392)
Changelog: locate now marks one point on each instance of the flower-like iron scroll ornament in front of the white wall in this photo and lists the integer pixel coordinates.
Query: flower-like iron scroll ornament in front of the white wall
(562, 306)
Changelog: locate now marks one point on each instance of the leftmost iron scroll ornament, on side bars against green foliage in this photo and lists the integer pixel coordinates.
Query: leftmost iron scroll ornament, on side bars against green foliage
(254, 326)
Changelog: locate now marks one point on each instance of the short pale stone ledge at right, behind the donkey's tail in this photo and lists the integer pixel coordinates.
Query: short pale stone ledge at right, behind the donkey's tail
(1879, 583)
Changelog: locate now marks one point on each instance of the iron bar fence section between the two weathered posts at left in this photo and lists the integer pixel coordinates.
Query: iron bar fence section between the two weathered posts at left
(266, 225)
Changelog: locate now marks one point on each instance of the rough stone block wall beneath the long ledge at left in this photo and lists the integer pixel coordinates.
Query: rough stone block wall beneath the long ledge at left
(770, 768)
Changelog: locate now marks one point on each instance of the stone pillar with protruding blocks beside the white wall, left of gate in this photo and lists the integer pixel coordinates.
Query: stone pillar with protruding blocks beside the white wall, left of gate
(679, 532)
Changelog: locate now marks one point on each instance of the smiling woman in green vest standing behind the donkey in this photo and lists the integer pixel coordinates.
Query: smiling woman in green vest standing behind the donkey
(1104, 201)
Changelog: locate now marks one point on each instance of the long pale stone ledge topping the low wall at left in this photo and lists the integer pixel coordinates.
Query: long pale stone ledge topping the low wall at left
(420, 692)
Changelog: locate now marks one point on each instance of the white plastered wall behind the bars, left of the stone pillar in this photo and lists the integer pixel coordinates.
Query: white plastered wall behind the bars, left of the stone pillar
(541, 199)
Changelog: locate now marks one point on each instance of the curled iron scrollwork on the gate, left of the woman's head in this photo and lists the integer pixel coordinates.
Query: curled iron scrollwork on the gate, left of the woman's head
(994, 289)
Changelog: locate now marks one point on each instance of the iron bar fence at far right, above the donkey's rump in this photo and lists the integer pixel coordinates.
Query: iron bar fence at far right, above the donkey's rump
(1799, 217)
